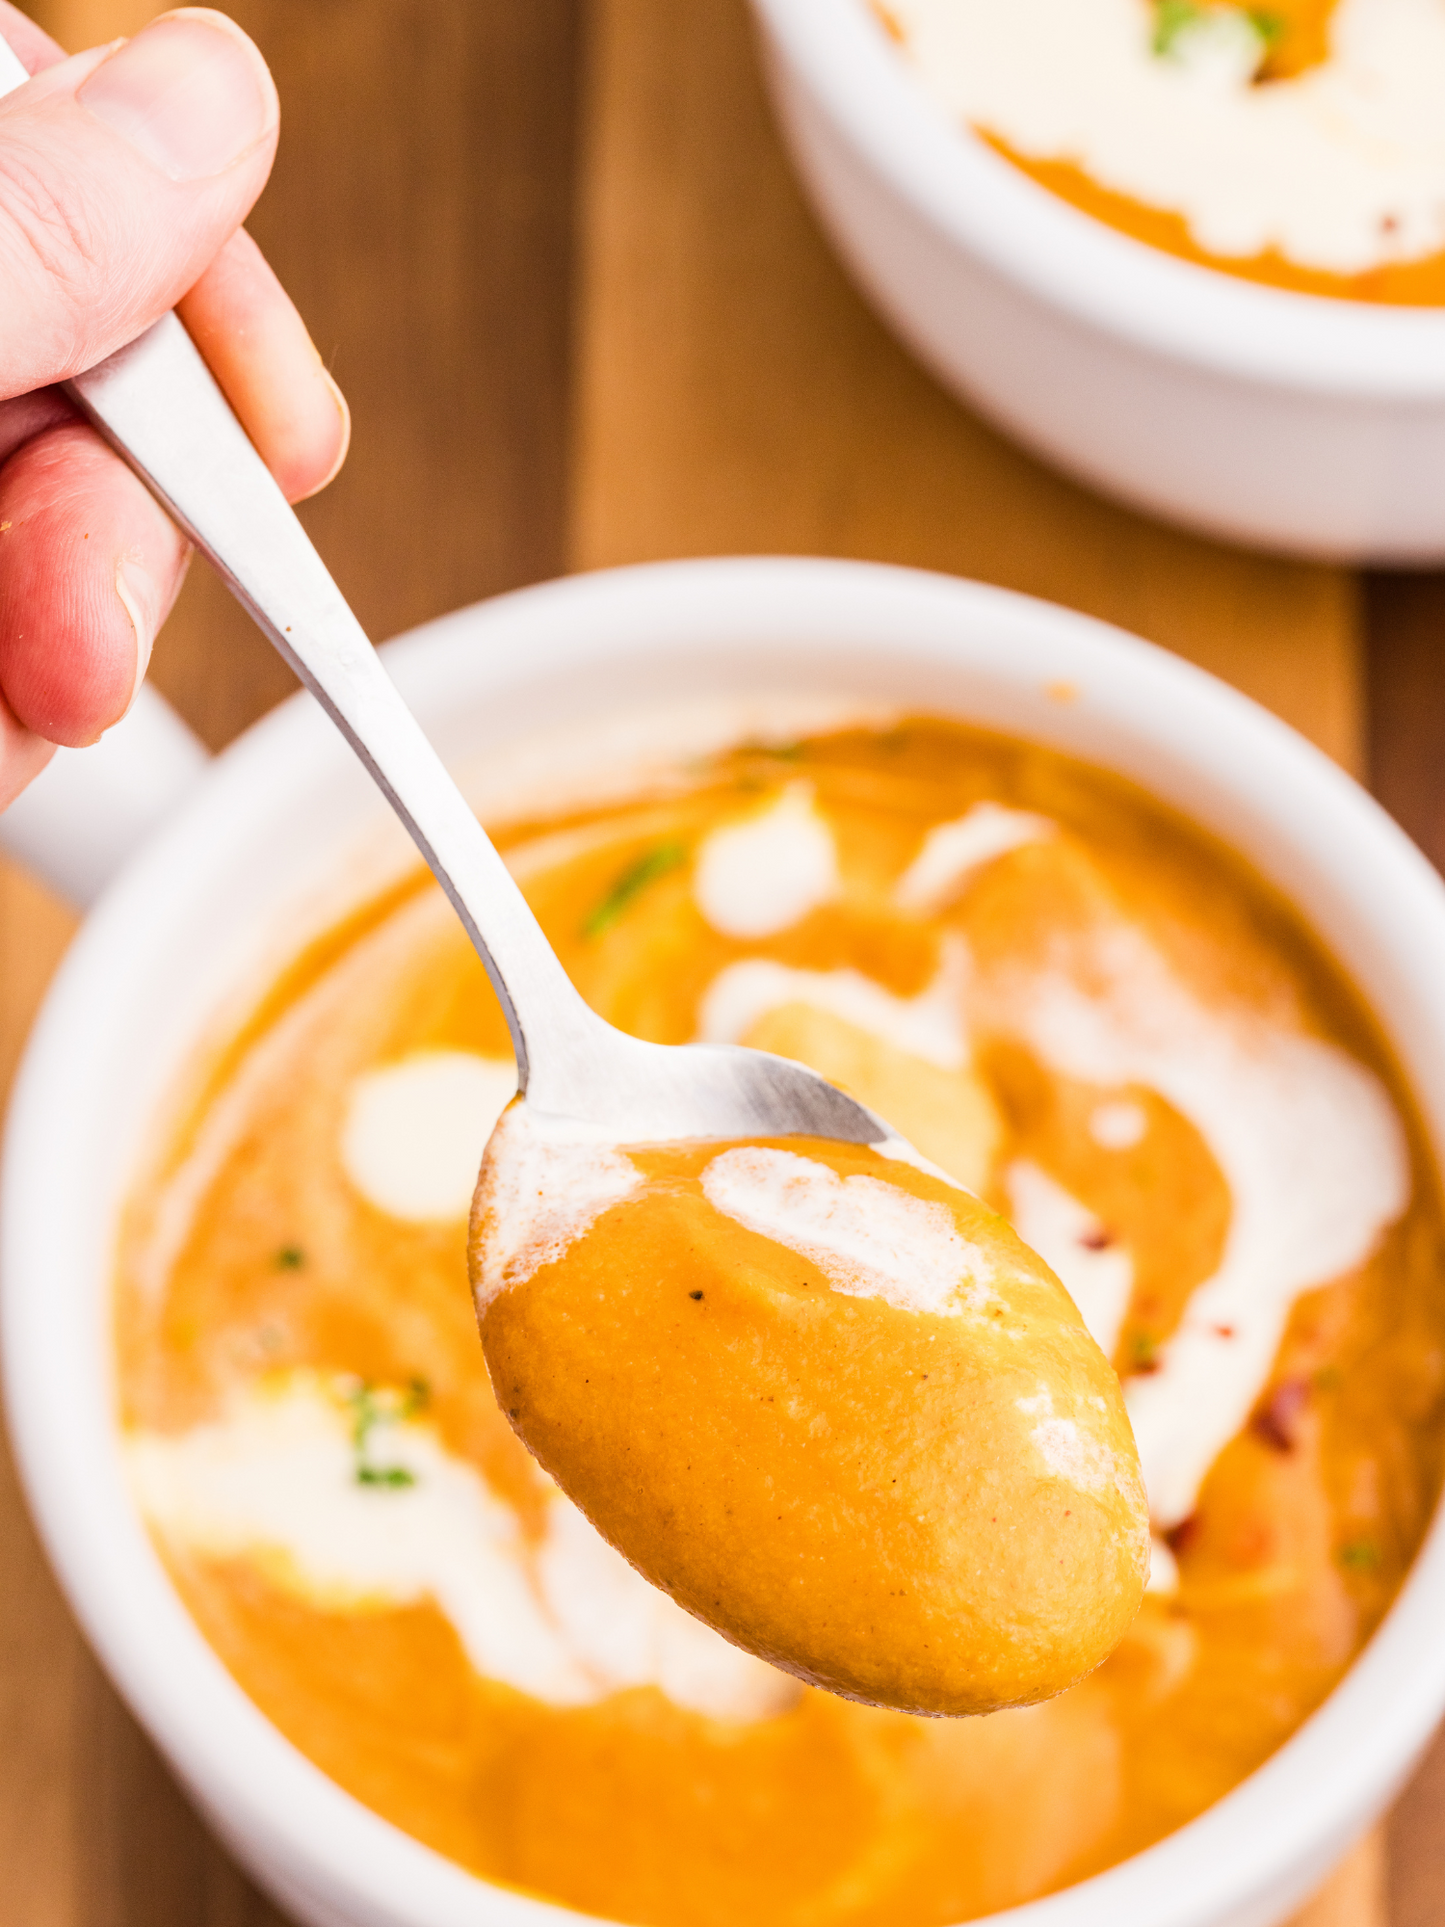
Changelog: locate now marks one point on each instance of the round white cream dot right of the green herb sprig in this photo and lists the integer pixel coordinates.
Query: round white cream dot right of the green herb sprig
(768, 872)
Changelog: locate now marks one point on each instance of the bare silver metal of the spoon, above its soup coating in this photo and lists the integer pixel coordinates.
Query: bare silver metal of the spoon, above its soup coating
(161, 409)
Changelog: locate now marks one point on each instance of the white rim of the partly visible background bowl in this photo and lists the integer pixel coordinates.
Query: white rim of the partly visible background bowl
(1097, 275)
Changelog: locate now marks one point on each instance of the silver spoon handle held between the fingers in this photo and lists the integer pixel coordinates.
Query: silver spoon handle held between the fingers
(159, 406)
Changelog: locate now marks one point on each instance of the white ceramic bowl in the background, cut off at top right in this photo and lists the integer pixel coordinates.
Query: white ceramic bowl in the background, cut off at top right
(1267, 417)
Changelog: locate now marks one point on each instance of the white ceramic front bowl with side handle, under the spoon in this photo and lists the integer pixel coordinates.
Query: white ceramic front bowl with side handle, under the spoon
(271, 835)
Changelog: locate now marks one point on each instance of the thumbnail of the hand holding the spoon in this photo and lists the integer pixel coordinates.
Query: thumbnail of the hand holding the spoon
(190, 93)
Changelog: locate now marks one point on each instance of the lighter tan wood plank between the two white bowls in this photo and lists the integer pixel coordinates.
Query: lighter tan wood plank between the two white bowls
(737, 396)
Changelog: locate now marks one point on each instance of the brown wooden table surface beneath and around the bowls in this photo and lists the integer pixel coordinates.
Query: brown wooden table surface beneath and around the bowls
(558, 263)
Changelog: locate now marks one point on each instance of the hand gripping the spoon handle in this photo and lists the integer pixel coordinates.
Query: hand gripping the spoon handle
(124, 180)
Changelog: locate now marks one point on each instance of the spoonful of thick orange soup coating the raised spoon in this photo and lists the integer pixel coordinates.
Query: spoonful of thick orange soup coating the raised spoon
(747, 1361)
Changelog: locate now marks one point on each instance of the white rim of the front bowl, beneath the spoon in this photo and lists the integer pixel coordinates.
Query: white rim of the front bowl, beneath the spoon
(1305, 1801)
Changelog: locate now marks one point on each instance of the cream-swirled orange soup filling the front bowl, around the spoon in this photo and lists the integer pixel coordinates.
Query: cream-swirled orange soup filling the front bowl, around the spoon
(1063, 995)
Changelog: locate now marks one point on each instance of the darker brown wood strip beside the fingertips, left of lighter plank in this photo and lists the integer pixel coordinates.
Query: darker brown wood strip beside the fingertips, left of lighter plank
(421, 215)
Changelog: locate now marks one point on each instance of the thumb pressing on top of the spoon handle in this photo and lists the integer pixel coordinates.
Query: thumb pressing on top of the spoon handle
(122, 174)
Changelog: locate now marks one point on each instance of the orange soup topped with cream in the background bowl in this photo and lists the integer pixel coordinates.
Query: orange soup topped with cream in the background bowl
(1298, 144)
